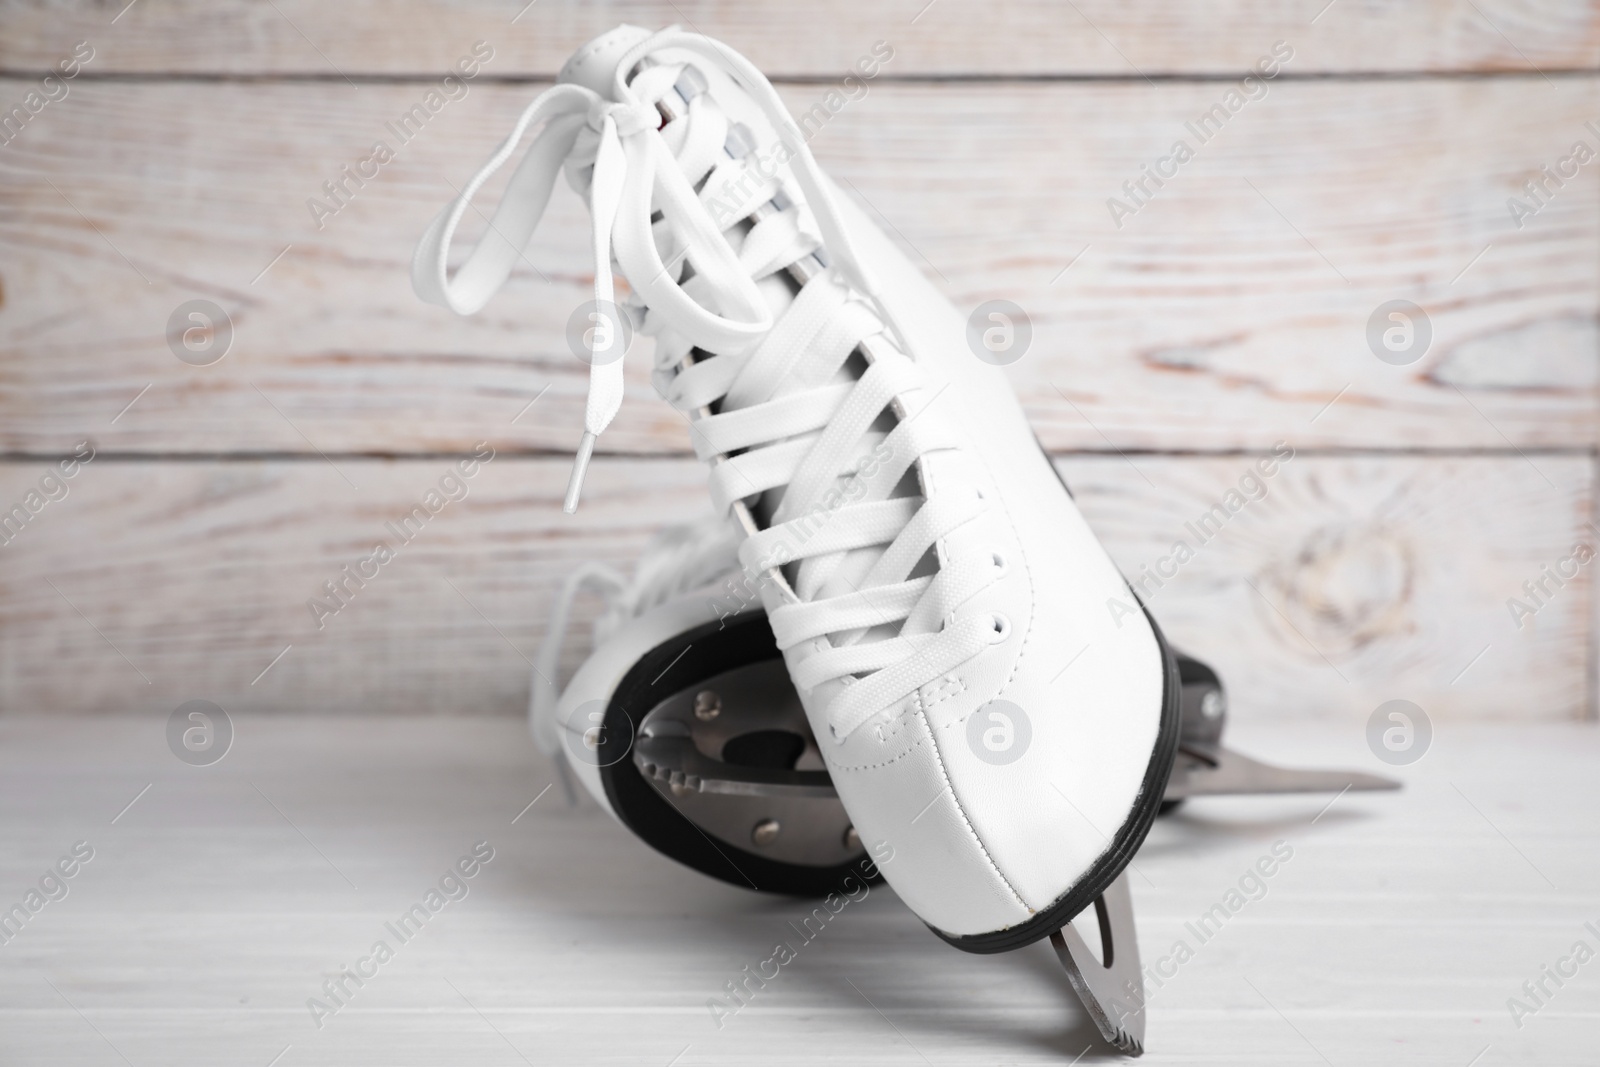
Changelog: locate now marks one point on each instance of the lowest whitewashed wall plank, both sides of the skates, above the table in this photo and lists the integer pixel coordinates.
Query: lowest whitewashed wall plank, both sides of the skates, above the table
(1350, 583)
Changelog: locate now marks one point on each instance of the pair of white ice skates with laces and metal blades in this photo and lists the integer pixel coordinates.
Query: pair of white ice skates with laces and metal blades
(919, 653)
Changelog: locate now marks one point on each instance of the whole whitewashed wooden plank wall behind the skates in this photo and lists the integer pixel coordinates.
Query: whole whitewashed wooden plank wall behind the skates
(1172, 346)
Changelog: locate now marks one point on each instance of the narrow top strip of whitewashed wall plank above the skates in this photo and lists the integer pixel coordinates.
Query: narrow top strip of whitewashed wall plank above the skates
(1023, 38)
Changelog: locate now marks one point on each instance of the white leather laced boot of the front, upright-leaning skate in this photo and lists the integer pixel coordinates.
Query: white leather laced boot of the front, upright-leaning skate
(991, 703)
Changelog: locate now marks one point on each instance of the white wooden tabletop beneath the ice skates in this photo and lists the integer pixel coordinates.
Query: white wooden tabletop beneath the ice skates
(223, 898)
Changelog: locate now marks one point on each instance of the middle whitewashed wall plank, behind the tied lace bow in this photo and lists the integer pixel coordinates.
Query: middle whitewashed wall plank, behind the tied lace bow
(1228, 313)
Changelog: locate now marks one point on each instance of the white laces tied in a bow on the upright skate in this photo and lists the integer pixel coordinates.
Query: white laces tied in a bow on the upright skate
(825, 449)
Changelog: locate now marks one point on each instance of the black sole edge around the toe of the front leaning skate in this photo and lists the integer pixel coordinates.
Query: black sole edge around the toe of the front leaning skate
(1124, 845)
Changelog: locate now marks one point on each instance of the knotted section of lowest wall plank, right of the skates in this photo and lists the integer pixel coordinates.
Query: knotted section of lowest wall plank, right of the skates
(1377, 578)
